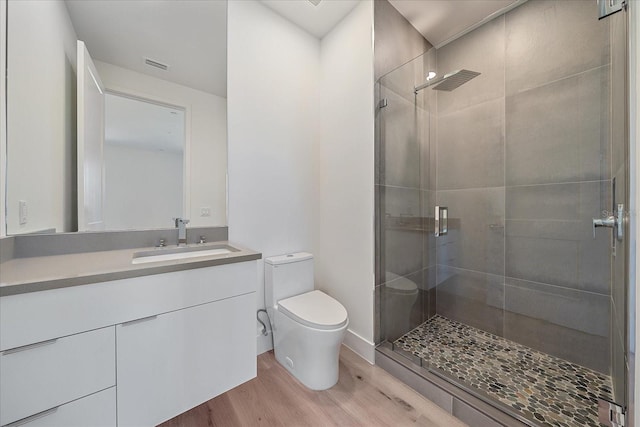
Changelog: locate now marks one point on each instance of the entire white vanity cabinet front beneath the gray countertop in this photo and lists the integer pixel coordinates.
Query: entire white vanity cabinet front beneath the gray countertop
(161, 343)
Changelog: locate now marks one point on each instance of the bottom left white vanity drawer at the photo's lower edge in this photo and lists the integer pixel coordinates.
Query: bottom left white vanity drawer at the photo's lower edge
(96, 410)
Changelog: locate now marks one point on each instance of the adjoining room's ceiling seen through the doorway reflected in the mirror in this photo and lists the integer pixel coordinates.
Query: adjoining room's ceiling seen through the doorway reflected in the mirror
(138, 124)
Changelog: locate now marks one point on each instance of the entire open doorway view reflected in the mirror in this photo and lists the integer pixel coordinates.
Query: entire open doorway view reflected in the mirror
(143, 141)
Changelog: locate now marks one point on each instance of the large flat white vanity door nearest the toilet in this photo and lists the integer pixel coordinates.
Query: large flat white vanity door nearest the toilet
(173, 362)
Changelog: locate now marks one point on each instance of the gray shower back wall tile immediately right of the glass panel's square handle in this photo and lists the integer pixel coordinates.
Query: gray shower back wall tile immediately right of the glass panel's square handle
(476, 230)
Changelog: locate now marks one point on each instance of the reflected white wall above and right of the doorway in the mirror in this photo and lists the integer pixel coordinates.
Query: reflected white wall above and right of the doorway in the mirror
(206, 124)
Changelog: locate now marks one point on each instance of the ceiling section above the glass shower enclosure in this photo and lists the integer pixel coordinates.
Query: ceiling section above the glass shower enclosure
(441, 20)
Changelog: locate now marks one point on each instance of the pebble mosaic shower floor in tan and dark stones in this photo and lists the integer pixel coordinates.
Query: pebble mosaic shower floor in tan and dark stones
(537, 386)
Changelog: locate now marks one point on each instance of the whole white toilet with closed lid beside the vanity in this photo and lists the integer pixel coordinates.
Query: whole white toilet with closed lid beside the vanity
(308, 326)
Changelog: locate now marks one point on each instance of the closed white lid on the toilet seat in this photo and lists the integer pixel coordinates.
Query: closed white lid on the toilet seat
(315, 309)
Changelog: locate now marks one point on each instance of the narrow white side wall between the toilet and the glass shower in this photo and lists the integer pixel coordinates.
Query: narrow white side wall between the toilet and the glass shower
(344, 240)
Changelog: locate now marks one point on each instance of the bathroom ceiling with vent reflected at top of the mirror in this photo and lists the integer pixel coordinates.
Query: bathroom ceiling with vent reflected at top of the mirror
(188, 35)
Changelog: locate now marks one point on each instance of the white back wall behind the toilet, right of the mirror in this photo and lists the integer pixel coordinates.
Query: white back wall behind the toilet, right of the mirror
(272, 91)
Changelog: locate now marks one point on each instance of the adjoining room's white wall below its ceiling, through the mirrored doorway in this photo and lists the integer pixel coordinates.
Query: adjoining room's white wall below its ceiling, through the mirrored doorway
(155, 198)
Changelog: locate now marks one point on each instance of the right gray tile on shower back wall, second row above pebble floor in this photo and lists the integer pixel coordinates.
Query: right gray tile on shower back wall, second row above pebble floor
(582, 311)
